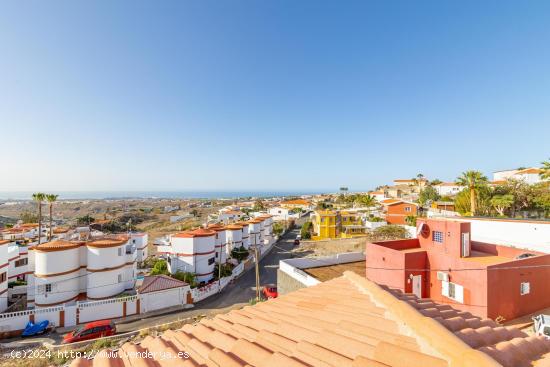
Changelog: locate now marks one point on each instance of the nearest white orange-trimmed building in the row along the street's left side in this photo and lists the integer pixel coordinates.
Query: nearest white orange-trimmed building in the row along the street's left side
(192, 251)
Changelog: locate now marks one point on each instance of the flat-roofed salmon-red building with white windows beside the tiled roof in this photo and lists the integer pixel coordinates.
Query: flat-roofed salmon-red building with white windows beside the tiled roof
(444, 264)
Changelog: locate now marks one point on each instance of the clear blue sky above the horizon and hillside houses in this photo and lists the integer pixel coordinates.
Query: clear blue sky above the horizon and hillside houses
(237, 95)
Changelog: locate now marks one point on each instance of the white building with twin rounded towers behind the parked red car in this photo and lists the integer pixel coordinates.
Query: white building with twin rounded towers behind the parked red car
(66, 271)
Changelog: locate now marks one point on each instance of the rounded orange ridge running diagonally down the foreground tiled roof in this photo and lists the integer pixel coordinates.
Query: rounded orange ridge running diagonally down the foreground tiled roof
(431, 335)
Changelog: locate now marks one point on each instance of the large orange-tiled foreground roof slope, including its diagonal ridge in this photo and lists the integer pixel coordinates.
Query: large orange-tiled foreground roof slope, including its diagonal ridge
(348, 321)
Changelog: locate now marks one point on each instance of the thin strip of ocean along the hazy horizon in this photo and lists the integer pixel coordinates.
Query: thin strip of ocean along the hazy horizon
(98, 195)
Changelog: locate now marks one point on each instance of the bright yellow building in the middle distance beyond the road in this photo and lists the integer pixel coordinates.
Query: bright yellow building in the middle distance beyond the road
(337, 224)
